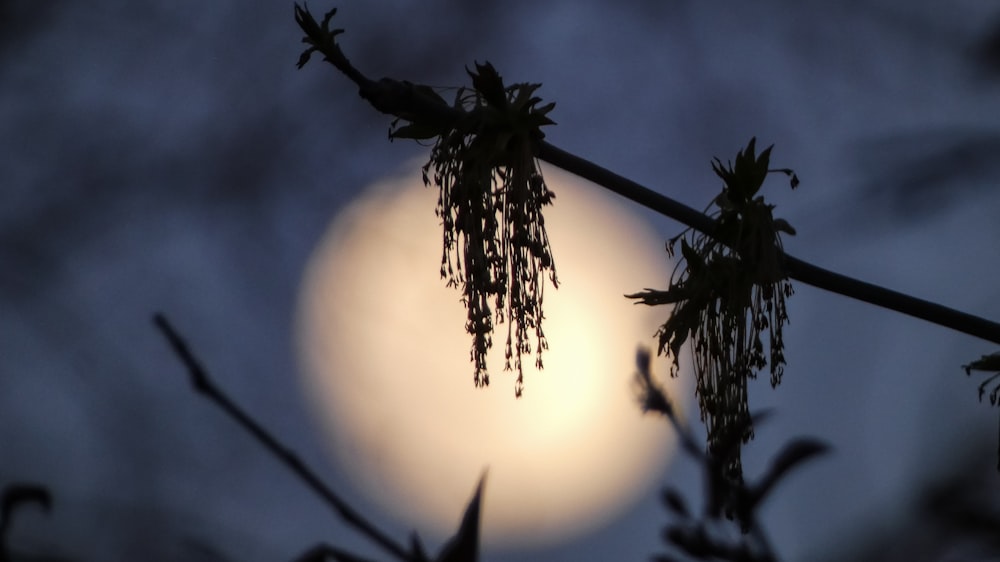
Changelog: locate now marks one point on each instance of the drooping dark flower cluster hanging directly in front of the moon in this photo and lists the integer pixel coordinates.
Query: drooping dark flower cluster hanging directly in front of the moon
(491, 194)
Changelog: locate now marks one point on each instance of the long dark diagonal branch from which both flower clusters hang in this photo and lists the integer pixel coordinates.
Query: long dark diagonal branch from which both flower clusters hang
(411, 102)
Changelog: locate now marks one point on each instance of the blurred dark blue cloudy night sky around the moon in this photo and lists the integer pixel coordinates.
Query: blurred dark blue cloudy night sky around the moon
(169, 157)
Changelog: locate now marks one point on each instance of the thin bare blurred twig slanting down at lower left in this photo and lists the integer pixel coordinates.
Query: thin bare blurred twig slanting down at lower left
(203, 384)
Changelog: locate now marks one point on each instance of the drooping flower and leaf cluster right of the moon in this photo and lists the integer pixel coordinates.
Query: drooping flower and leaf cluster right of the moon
(728, 298)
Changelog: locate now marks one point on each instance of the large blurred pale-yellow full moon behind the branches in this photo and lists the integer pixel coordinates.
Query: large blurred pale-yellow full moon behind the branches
(386, 368)
